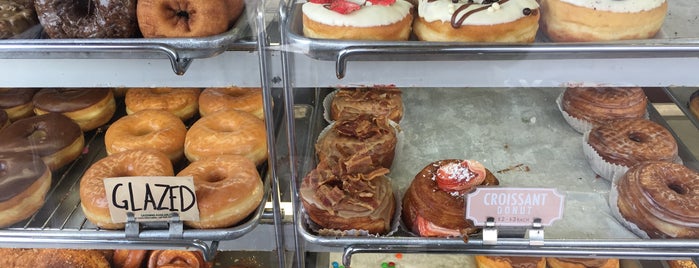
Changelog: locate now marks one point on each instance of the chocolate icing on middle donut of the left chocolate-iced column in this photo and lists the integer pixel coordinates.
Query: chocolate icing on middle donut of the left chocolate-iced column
(42, 135)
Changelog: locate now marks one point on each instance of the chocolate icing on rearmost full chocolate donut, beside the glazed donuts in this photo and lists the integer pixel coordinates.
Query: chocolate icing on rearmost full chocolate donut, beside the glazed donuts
(62, 100)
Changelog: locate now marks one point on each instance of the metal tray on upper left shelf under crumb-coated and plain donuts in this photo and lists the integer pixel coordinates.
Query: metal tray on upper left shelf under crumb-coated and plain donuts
(180, 51)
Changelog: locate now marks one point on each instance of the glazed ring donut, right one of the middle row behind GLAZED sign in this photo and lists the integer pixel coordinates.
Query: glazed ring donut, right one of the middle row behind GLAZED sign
(227, 132)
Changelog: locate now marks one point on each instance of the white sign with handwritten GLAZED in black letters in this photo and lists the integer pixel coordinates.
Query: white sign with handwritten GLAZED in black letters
(151, 198)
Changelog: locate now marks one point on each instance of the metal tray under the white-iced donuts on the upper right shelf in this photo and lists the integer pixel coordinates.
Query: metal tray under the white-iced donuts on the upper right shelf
(677, 38)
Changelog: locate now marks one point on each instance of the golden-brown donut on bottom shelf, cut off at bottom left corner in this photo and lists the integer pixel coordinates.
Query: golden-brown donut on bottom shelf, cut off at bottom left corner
(41, 257)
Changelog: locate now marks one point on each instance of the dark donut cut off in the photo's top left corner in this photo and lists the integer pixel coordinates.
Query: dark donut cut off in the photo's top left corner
(15, 18)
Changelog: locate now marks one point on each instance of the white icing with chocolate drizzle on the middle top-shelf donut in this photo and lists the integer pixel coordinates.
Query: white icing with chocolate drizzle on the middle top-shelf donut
(442, 10)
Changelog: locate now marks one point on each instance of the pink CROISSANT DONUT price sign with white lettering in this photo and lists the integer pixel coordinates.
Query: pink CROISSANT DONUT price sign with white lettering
(514, 206)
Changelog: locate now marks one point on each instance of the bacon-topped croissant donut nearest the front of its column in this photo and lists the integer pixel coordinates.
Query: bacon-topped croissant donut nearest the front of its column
(360, 201)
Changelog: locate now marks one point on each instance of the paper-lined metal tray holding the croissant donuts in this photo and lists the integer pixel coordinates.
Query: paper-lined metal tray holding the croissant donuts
(521, 136)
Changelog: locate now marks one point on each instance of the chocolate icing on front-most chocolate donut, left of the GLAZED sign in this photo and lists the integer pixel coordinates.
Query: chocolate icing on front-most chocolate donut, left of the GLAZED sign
(18, 171)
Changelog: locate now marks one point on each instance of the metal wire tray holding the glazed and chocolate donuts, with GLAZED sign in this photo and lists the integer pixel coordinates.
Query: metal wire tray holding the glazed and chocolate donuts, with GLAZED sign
(62, 218)
